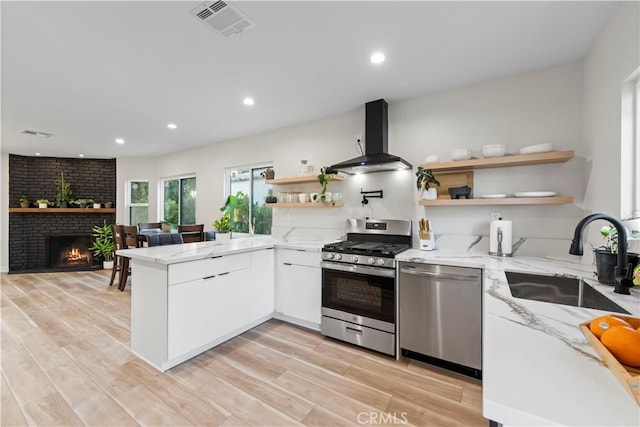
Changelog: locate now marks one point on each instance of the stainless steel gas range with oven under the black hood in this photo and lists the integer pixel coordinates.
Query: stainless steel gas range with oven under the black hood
(358, 283)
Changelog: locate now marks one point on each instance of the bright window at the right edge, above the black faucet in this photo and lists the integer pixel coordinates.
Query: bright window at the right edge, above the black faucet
(630, 147)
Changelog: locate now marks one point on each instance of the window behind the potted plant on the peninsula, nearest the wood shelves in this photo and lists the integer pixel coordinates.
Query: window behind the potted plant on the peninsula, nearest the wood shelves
(249, 190)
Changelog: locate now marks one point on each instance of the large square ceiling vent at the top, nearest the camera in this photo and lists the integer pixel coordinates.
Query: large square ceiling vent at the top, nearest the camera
(224, 19)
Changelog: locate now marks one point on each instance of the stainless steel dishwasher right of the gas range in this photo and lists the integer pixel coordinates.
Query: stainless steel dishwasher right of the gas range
(440, 315)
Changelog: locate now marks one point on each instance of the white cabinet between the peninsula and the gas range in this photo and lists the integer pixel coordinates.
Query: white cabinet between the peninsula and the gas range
(299, 287)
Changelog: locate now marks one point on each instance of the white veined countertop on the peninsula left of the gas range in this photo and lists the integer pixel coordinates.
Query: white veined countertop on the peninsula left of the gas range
(172, 254)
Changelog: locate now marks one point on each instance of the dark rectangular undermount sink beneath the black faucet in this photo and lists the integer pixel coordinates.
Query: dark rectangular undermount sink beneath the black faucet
(559, 290)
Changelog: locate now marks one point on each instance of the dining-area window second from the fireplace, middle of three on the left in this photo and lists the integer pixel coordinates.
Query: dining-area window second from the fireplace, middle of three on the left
(178, 197)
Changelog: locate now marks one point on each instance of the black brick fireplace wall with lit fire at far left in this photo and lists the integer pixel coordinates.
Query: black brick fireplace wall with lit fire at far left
(32, 234)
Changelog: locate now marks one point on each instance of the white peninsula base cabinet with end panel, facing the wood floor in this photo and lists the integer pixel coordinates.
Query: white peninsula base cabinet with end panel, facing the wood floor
(180, 310)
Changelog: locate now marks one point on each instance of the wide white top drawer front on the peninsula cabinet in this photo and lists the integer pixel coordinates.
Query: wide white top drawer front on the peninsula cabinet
(192, 270)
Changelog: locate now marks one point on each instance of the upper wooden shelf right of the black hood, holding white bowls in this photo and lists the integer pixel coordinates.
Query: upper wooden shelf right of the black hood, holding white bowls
(504, 161)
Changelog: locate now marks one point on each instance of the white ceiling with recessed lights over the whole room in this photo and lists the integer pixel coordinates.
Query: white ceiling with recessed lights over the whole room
(90, 72)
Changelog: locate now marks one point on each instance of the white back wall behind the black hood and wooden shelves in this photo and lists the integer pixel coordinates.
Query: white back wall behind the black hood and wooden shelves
(543, 106)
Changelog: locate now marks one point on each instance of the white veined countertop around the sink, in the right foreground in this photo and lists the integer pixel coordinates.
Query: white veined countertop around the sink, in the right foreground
(538, 368)
